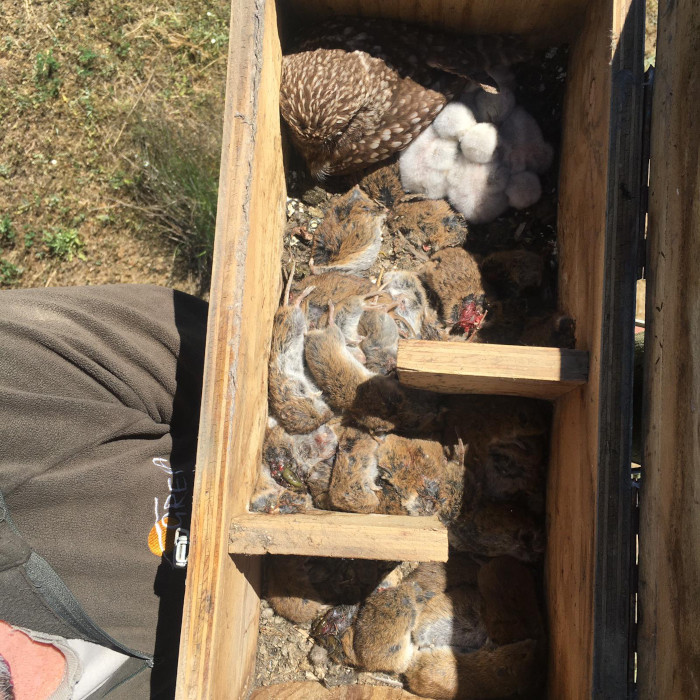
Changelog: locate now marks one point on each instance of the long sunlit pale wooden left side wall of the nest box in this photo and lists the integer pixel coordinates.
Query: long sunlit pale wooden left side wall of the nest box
(219, 635)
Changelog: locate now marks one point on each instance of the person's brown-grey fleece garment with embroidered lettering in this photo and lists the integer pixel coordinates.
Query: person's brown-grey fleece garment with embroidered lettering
(99, 402)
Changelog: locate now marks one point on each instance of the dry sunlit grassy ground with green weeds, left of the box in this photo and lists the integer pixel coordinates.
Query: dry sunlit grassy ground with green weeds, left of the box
(111, 115)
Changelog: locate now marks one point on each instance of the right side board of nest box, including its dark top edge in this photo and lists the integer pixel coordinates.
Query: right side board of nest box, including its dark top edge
(587, 586)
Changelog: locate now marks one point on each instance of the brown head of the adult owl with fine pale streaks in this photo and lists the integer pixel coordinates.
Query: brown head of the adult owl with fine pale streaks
(329, 100)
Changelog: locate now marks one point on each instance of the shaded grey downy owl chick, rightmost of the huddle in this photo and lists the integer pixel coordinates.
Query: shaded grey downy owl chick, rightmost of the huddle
(524, 147)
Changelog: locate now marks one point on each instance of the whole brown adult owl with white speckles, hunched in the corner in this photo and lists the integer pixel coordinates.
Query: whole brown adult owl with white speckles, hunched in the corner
(362, 89)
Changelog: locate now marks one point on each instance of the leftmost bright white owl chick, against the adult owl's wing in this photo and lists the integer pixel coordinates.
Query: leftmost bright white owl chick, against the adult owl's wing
(424, 164)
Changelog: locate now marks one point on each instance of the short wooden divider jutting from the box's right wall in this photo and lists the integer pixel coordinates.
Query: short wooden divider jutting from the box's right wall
(474, 368)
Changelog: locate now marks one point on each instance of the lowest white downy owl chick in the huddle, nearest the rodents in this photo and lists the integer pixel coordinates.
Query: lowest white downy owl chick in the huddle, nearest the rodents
(477, 190)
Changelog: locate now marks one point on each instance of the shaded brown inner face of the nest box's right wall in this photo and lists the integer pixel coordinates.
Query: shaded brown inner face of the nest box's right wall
(573, 472)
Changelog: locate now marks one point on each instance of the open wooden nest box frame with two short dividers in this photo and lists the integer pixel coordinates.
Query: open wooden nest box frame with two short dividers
(589, 556)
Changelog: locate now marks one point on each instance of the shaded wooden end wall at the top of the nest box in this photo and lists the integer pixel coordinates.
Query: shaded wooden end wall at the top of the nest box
(550, 20)
